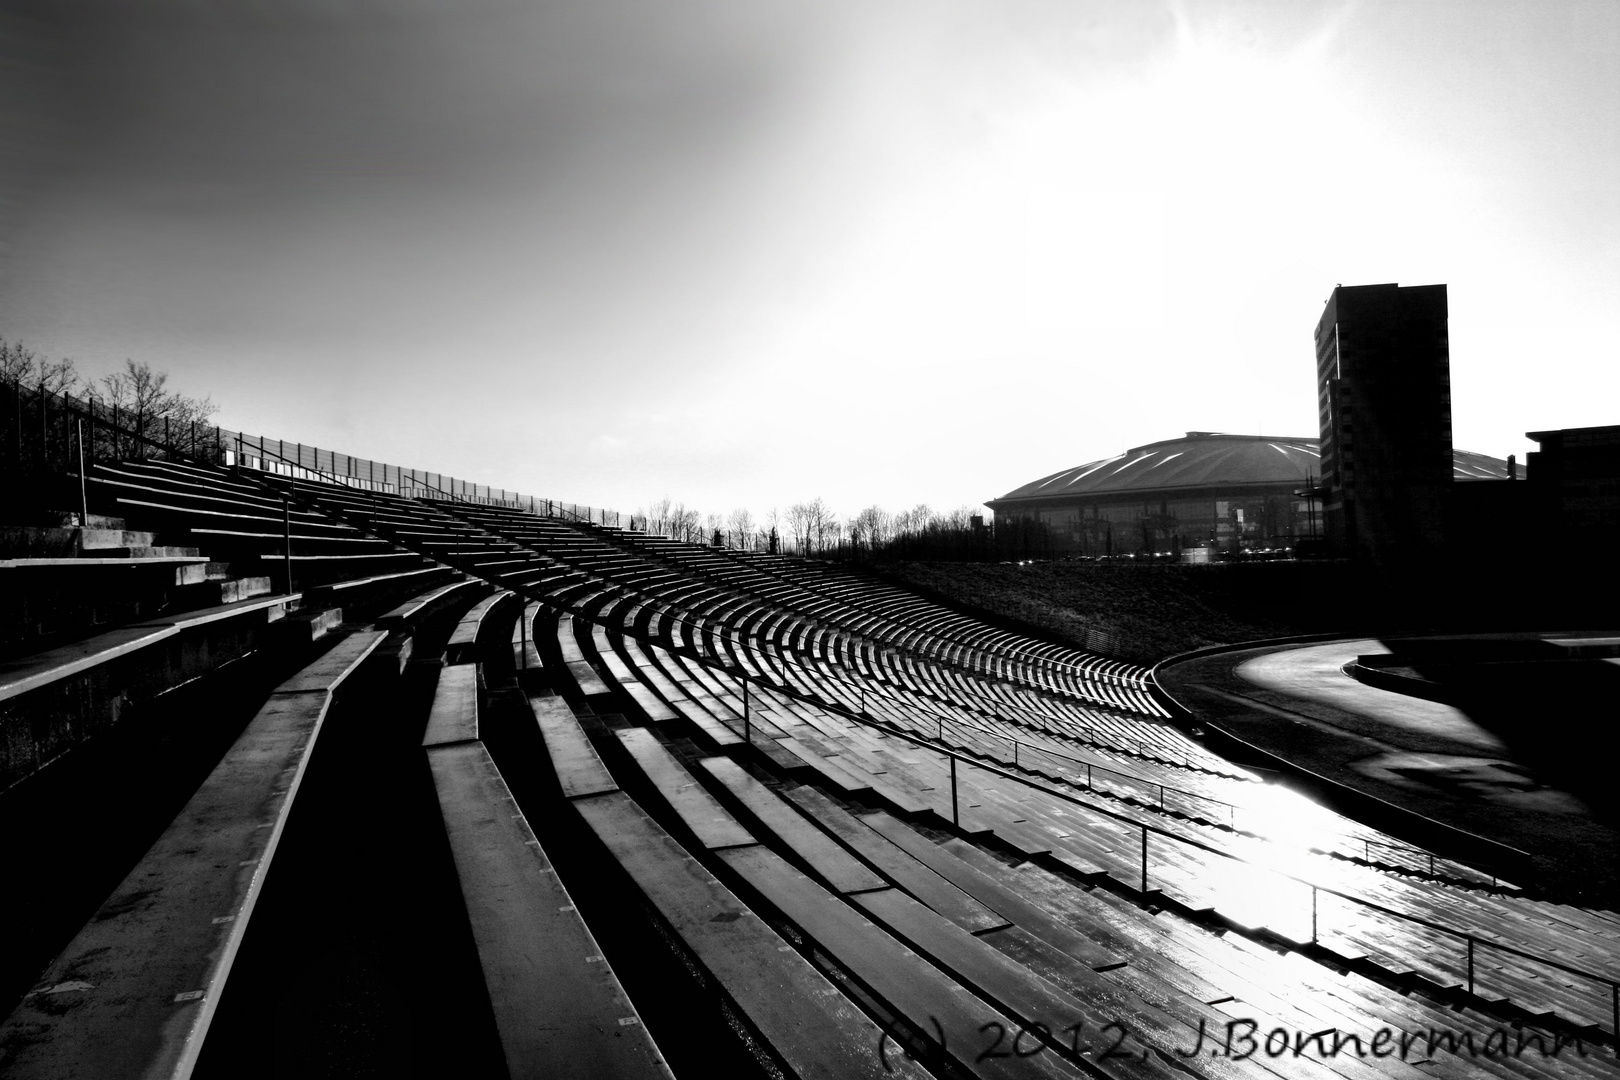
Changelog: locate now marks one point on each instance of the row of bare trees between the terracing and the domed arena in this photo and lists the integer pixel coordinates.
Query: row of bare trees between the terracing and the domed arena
(811, 529)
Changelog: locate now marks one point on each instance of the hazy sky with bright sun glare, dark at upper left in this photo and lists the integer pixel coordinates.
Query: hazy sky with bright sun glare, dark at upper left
(746, 253)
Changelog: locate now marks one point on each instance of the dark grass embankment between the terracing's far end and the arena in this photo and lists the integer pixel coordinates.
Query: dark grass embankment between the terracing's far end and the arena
(1145, 614)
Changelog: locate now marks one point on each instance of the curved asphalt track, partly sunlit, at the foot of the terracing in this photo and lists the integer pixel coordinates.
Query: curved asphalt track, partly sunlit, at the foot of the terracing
(1329, 733)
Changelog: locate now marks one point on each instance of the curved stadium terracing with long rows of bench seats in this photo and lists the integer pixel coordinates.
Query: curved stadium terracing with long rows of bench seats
(529, 794)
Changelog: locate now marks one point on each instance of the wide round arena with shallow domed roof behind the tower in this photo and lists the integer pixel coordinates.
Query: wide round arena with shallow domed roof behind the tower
(1203, 493)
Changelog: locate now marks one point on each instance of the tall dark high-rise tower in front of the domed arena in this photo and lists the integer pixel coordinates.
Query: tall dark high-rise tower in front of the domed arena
(1384, 398)
